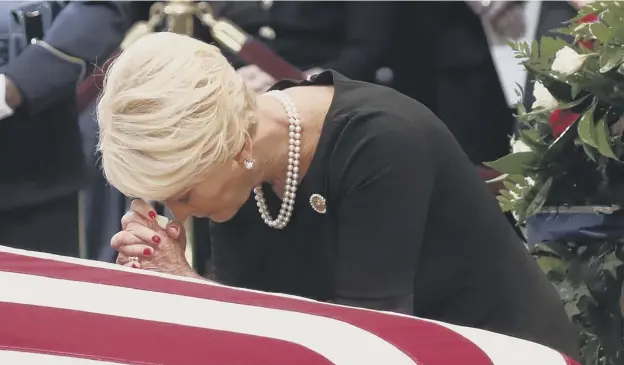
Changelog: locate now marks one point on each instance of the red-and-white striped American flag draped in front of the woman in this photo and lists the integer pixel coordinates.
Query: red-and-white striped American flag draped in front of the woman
(63, 311)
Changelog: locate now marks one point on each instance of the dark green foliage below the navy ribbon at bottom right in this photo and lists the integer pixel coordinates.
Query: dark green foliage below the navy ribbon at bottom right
(588, 277)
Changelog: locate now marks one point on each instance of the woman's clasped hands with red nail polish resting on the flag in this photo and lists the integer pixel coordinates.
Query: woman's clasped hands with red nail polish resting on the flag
(143, 243)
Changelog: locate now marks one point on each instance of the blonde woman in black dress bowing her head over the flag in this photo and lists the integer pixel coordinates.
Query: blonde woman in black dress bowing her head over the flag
(379, 206)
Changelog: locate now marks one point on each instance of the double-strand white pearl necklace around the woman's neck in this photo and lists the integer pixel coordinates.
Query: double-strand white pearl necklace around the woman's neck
(292, 174)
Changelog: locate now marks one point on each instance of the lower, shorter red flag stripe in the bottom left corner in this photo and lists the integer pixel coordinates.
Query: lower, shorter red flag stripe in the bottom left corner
(138, 342)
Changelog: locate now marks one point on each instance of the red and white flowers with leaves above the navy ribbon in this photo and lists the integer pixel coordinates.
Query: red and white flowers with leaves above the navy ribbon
(568, 146)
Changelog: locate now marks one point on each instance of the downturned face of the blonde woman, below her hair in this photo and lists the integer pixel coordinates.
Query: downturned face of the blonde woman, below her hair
(218, 196)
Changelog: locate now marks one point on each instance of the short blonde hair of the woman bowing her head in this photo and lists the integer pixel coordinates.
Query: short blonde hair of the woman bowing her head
(171, 108)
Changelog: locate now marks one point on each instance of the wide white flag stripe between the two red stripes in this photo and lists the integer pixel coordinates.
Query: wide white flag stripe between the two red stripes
(339, 342)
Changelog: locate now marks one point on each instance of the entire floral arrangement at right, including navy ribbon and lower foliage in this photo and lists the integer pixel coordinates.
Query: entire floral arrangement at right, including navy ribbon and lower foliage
(564, 179)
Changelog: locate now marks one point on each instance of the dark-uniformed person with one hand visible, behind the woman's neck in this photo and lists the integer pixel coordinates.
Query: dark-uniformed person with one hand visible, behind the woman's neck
(350, 37)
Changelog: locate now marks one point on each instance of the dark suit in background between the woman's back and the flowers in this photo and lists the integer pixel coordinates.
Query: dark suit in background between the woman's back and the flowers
(441, 57)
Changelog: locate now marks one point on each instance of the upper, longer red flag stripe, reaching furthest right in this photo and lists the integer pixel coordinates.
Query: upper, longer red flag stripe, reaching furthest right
(427, 343)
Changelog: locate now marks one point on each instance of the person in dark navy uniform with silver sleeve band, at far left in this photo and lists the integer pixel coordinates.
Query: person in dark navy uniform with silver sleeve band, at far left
(41, 156)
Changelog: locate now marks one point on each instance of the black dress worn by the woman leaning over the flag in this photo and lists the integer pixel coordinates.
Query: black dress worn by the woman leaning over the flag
(409, 227)
